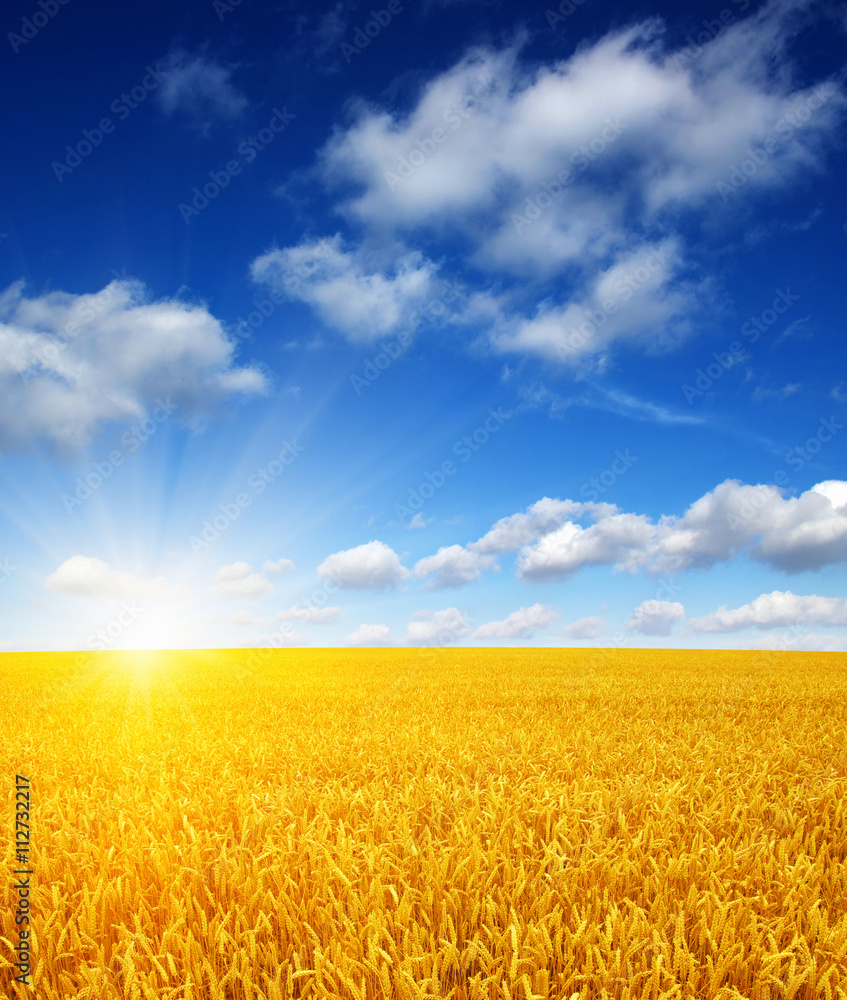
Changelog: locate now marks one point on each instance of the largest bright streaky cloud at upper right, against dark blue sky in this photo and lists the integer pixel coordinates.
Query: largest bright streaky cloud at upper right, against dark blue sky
(677, 123)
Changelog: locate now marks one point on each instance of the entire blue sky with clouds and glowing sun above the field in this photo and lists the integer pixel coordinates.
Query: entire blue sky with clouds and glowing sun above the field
(455, 322)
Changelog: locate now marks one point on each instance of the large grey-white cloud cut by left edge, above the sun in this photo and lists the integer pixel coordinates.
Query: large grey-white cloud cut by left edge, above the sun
(71, 363)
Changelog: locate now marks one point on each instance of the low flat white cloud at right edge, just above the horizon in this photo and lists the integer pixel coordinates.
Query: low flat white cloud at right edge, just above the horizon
(775, 610)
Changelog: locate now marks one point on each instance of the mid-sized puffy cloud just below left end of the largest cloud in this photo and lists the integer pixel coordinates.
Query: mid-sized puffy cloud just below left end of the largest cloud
(349, 290)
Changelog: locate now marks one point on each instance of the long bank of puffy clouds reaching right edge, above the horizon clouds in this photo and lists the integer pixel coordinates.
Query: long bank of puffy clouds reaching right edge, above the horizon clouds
(791, 534)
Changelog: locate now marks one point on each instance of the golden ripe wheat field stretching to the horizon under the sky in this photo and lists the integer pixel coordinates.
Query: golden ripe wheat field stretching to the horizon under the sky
(430, 823)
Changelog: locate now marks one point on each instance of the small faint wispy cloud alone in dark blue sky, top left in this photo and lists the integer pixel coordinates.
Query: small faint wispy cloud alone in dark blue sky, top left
(199, 88)
